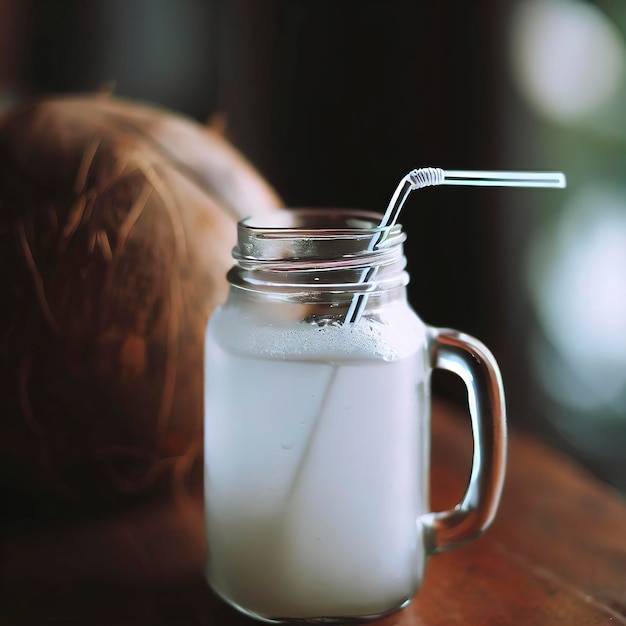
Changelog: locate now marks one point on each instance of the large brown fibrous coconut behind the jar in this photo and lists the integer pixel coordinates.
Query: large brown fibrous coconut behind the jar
(117, 222)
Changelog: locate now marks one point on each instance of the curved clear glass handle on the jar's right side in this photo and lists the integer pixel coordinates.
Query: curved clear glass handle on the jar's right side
(468, 358)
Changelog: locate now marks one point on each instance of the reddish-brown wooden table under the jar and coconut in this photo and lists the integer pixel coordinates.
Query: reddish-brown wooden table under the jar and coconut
(556, 554)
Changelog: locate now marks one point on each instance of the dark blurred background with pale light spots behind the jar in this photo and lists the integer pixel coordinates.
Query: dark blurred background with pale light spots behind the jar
(334, 101)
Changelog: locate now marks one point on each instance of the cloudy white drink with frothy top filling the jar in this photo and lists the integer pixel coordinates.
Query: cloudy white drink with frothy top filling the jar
(316, 459)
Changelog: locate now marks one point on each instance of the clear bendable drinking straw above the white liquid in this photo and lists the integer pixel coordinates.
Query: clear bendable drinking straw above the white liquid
(431, 176)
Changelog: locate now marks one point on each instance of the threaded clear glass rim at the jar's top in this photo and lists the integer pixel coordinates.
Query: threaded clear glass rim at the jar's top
(298, 252)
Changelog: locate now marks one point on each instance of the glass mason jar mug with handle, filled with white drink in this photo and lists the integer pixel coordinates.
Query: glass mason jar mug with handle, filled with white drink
(317, 424)
